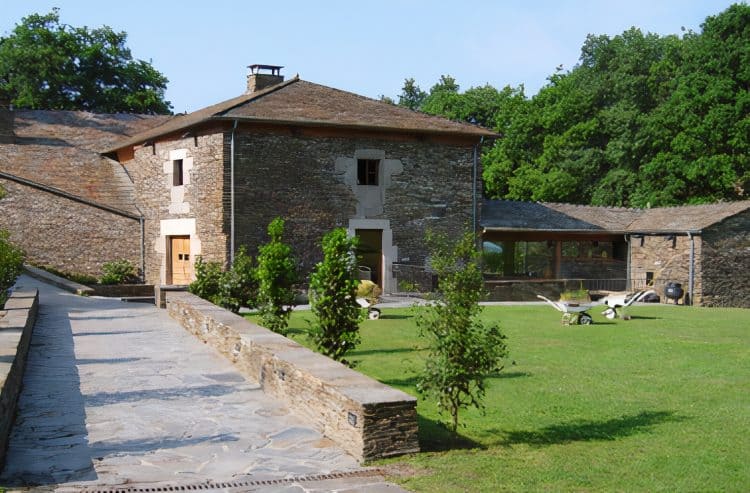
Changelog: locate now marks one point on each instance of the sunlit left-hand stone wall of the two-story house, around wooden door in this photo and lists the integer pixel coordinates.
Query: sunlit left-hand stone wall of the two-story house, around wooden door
(199, 199)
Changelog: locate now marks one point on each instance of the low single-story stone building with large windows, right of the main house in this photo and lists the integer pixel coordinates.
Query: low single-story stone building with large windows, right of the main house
(547, 248)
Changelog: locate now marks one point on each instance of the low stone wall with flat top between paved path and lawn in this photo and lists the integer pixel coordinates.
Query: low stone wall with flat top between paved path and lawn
(366, 418)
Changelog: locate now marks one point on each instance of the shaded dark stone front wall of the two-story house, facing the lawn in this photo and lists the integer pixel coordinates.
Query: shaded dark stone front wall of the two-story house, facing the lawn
(295, 176)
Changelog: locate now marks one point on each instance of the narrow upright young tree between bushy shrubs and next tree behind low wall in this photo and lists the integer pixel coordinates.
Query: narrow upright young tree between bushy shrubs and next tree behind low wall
(276, 274)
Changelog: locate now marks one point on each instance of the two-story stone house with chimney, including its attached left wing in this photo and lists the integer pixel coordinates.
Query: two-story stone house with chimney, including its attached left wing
(162, 191)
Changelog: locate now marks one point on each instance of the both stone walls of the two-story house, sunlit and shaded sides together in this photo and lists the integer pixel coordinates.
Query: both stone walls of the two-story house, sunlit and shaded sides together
(295, 176)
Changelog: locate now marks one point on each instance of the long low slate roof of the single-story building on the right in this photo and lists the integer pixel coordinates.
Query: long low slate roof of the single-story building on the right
(509, 215)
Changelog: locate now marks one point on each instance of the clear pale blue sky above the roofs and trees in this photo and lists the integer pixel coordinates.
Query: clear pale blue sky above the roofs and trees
(367, 47)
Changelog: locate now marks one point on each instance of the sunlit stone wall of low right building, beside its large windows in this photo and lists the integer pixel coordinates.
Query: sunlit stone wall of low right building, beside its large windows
(667, 263)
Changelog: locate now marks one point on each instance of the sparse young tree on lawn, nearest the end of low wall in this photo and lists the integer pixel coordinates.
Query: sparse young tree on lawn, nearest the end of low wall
(463, 351)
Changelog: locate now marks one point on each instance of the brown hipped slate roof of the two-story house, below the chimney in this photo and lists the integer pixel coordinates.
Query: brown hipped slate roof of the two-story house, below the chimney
(298, 102)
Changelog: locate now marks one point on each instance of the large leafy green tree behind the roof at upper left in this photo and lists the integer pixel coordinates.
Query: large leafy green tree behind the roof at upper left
(48, 65)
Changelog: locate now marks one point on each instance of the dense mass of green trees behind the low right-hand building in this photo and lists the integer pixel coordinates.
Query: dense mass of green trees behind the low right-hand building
(642, 120)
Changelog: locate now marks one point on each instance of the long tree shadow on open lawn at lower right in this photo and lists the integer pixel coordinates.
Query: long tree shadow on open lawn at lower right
(584, 431)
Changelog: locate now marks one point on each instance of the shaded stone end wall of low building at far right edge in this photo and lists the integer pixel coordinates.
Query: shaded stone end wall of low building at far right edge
(726, 263)
